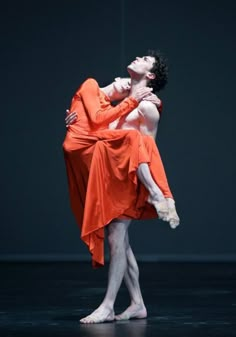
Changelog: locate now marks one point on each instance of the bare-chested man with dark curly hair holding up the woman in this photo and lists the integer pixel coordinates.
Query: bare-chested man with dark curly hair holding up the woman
(122, 263)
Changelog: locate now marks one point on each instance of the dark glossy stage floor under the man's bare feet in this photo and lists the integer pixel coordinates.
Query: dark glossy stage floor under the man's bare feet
(183, 299)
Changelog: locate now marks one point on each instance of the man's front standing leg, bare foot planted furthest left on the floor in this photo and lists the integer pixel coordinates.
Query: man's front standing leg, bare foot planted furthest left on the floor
(117, 230)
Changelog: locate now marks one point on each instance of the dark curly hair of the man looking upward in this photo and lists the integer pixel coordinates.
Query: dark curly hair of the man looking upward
(160, 69)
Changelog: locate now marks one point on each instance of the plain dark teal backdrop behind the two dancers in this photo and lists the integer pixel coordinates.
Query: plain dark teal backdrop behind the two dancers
(48, 49)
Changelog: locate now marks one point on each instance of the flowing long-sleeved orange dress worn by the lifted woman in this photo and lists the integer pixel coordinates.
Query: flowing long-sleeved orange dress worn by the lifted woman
(101, 167)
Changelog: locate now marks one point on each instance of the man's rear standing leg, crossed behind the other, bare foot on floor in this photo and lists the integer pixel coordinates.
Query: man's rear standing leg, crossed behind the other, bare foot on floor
(137, 308)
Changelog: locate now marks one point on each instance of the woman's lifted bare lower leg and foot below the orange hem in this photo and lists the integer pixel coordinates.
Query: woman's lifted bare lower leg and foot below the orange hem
(156, 197)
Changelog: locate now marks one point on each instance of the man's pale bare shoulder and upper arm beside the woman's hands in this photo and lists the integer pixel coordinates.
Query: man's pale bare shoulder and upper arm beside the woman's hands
(149, 118)
